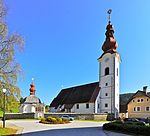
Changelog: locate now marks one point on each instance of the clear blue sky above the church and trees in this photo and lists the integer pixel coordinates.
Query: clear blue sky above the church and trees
(63, 40)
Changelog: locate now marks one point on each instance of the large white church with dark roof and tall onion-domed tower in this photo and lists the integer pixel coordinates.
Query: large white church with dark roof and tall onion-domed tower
(97, 97)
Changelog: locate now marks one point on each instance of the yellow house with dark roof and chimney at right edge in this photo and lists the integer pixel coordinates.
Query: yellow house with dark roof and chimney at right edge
(139, 104)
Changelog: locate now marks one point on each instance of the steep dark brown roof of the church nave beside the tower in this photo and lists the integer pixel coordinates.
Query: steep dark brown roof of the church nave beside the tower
(78, 94)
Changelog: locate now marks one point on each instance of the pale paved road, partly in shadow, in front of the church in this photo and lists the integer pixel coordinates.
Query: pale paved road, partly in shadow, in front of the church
(75, 128)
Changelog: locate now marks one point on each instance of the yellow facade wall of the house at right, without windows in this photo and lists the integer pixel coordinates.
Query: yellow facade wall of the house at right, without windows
(134, 104)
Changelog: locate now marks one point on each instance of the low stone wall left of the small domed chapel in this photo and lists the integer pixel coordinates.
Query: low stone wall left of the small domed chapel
(20, 115)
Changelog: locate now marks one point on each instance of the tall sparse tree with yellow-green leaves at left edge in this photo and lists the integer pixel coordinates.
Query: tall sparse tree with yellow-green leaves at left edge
(9, 68)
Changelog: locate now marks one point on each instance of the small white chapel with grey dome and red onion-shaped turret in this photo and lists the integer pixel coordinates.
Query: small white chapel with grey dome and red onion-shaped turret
(32, 104)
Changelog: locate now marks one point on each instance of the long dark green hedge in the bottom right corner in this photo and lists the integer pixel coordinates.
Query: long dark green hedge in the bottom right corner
(128, 128)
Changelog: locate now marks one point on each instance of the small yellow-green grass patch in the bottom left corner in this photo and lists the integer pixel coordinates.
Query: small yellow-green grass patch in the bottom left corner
(7, 131)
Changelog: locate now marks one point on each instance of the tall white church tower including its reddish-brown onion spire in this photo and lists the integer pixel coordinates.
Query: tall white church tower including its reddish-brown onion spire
(109, 73)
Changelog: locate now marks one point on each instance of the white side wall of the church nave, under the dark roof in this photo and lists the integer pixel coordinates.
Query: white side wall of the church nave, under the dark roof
(83, 109)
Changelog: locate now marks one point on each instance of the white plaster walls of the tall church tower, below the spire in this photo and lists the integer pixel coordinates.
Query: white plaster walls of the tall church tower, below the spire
(112, 89)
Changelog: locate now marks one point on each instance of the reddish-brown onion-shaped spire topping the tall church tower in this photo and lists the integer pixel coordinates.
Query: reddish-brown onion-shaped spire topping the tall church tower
(110, 44)
